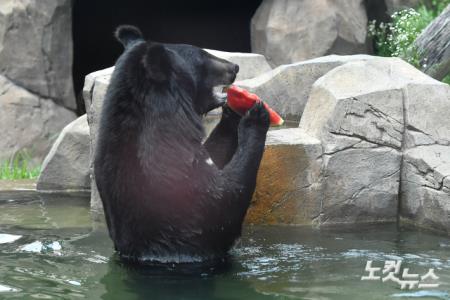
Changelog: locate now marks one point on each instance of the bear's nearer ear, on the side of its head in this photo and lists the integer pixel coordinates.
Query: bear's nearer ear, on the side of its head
(157, 62)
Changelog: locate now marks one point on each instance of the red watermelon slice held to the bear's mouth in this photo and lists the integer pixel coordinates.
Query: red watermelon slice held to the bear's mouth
(241, 100)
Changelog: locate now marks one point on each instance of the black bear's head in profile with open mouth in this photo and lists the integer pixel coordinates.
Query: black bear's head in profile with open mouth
(187, 68)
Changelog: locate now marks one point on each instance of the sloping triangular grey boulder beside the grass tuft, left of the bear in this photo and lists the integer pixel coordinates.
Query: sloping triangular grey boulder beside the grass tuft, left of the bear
(66, 166)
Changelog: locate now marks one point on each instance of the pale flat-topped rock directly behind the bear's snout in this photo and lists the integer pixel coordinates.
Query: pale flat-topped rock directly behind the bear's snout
(250, 64)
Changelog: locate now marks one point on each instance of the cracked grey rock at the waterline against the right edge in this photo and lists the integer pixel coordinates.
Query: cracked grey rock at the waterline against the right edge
(425, 196)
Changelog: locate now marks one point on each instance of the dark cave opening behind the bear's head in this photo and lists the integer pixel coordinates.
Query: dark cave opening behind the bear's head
(222, 25)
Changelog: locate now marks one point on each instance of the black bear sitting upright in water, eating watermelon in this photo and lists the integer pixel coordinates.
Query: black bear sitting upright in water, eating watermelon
(167, 196)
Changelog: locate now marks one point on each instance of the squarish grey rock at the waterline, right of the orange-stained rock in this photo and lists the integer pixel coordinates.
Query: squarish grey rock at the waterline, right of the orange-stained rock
(361, 185)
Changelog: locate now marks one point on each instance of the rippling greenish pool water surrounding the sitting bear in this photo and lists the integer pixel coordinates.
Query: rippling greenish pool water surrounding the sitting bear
(51, 249)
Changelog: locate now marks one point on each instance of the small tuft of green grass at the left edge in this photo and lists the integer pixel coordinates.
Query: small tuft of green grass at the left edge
(18, 167)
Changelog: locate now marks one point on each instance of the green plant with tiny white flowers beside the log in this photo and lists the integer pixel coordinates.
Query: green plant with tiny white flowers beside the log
(397, 37)
